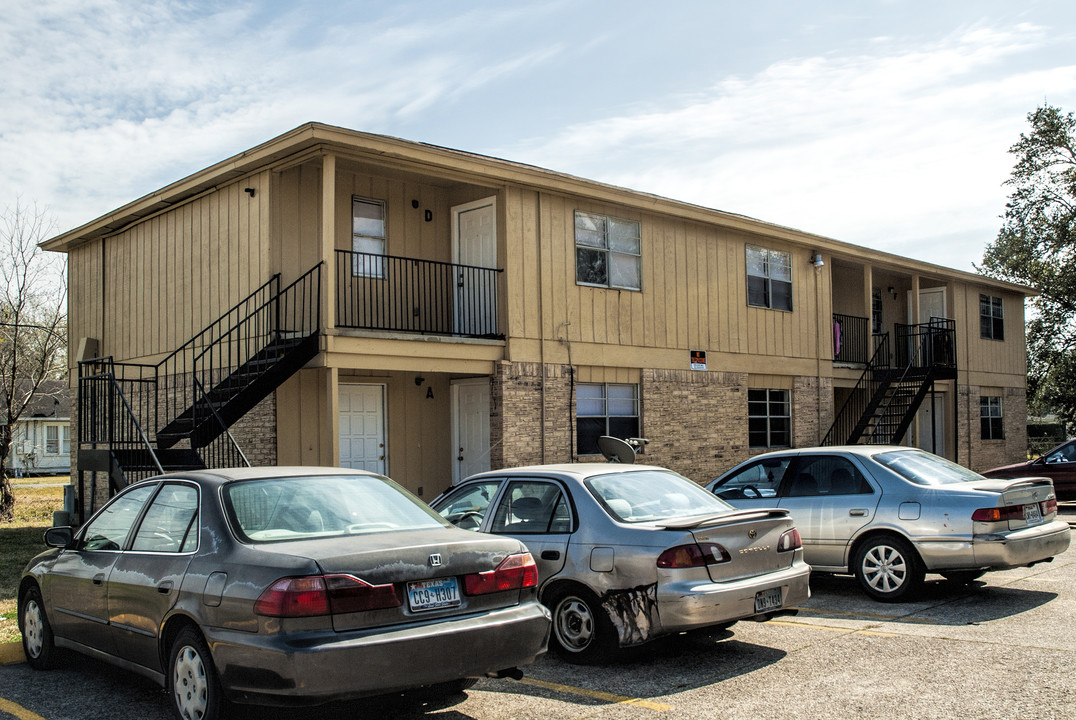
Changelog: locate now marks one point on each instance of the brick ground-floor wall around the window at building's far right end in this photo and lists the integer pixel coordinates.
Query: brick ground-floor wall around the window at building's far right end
(980, 455)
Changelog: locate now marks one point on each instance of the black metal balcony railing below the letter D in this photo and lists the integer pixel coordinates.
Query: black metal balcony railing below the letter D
(408, 295)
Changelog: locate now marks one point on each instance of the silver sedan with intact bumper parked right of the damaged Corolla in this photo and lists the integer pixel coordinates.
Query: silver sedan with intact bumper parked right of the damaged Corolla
(890, 515)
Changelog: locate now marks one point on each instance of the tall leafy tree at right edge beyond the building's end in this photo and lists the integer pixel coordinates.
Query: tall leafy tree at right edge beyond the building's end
(1037, 246)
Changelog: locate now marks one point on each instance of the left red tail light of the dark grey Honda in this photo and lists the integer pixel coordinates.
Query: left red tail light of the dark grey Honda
(323, 595)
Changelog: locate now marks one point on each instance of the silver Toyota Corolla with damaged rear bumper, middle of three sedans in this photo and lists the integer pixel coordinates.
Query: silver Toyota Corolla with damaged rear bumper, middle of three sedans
(629, 553)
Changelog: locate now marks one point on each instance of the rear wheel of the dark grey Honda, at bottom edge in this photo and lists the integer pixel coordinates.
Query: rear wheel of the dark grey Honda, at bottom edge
(193, 685)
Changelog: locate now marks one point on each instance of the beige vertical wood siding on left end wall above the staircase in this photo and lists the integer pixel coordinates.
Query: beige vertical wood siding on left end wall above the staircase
(171, 276)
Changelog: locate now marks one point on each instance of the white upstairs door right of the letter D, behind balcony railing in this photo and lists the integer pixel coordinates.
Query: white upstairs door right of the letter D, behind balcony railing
(475, 247)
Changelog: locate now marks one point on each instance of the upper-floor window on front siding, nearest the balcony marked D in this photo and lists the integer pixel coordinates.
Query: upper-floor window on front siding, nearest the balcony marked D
(608, 252)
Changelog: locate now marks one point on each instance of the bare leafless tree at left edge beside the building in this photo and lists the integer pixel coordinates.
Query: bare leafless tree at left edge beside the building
(33, 324)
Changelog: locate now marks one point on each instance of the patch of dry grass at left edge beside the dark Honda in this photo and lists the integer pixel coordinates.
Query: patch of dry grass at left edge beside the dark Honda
(21, 541)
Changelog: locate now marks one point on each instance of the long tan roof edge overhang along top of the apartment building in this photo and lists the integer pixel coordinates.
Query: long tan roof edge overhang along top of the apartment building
(328, 139)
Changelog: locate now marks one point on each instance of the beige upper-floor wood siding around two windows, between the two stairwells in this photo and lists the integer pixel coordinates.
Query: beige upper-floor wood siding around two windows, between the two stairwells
(693, 295)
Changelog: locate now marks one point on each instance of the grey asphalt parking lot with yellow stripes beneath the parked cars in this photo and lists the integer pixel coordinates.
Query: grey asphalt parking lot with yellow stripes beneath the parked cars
(1004, 648)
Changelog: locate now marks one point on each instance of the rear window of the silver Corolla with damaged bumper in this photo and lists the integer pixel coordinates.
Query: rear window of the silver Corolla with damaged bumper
(650, 496)
